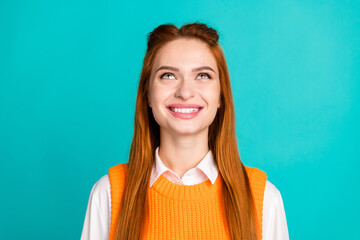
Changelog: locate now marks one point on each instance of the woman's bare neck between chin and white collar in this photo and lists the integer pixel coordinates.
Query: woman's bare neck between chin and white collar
(180, 153)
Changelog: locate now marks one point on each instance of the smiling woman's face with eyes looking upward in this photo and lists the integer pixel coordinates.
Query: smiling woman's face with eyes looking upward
(184, 91)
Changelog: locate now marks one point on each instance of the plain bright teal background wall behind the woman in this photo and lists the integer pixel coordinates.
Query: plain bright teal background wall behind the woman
(68, 79)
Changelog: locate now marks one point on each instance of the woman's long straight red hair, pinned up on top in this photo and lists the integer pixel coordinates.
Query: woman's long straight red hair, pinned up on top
(237, 199)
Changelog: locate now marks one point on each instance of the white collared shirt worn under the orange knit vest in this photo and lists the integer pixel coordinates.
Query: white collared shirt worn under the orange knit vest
(98, 212)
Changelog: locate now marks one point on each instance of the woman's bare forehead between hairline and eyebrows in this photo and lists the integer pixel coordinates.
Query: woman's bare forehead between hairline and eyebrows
(185, 53)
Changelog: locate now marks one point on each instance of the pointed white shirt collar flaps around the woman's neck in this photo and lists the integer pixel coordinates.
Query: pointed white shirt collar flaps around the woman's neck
(207, 166)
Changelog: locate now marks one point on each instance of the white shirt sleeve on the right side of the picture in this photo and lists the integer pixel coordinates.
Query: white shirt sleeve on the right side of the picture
(274, 219)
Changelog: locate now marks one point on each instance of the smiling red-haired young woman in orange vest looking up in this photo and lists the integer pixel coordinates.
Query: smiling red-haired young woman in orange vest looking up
(184, 178)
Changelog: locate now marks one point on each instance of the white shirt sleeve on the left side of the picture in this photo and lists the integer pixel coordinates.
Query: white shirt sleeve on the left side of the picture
(97, 218)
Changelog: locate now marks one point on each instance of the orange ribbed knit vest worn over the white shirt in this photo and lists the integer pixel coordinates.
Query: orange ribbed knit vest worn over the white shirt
(185, 211)
